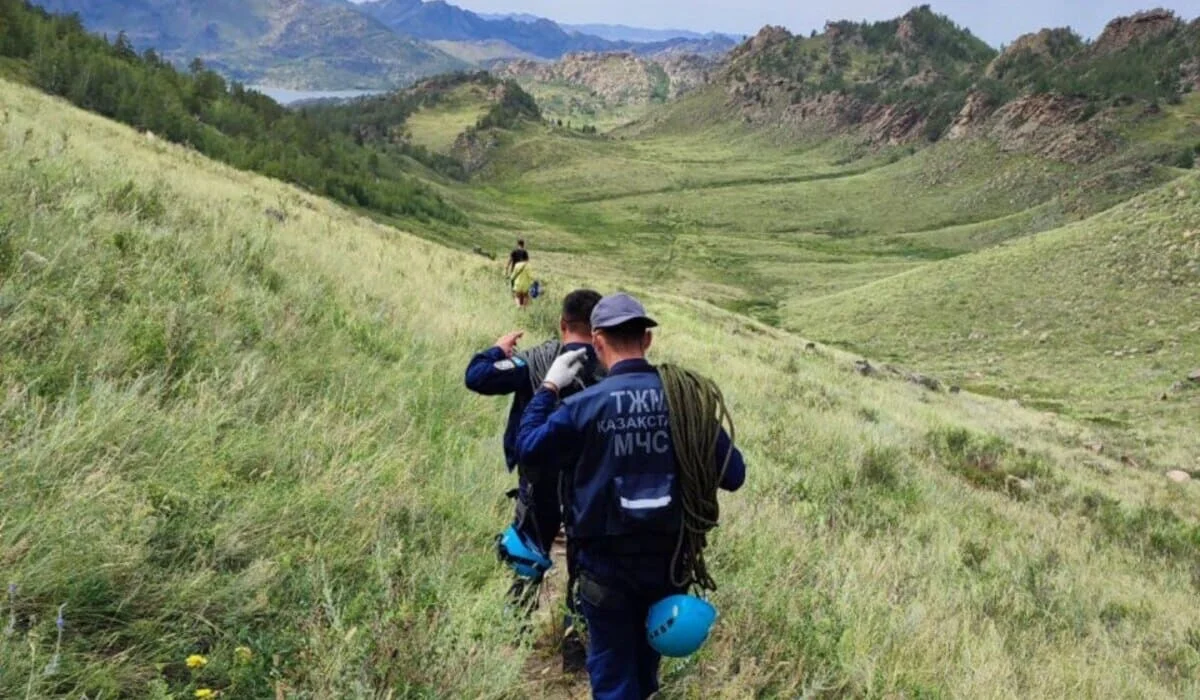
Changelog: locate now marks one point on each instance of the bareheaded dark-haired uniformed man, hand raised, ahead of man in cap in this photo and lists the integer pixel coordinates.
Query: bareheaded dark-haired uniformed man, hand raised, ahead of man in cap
(499, 372)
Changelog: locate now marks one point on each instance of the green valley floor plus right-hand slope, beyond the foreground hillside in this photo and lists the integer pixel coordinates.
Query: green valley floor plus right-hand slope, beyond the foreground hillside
(848, 242)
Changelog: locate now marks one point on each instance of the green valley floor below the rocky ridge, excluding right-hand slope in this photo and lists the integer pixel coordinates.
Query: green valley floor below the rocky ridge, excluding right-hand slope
(735, 217)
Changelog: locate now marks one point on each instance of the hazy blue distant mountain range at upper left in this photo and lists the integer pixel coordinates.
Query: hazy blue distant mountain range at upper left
(343, 45)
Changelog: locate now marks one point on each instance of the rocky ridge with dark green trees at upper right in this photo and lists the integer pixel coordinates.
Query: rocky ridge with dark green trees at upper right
(923, 79)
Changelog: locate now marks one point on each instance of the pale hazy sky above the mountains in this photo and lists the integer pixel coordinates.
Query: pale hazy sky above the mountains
(995, 21)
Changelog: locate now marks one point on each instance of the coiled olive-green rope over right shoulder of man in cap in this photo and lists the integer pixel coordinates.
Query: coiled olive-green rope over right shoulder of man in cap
(698, 412)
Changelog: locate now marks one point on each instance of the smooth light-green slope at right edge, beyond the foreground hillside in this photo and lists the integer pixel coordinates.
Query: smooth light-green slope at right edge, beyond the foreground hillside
(1097, 319)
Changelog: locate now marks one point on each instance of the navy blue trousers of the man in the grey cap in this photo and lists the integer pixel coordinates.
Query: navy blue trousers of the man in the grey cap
(622, 666)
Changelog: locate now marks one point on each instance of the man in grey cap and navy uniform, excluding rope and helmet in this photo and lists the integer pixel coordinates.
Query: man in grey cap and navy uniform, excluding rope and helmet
(613, 444)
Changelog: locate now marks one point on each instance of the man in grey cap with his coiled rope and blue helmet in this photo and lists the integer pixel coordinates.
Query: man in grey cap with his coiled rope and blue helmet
(641, 457)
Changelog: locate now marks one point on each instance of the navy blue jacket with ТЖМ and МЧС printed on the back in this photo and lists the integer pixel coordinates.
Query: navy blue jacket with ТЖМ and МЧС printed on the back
(614, 442)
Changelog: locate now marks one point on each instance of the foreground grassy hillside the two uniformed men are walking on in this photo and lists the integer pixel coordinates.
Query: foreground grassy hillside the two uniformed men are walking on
(243, 435)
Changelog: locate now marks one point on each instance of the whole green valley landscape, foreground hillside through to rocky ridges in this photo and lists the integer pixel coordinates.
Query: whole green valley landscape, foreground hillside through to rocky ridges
(951, 296)
